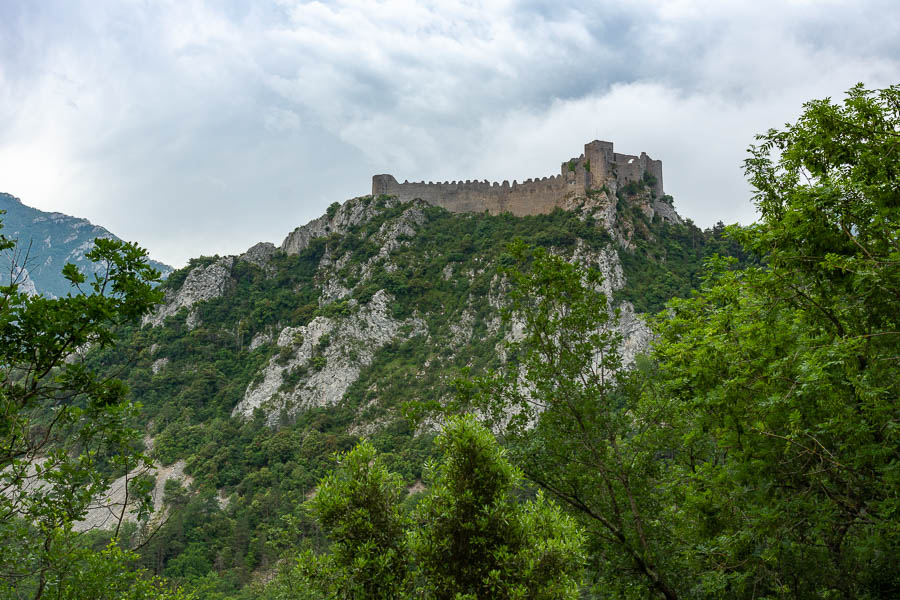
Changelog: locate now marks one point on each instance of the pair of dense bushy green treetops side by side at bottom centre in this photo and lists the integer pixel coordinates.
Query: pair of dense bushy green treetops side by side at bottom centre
(469, 536)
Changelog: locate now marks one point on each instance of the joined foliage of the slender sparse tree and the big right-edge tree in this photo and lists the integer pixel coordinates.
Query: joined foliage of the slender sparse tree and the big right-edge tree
(754, 454)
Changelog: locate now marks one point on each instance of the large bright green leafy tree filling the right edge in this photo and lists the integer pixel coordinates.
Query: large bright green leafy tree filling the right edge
(786, 374)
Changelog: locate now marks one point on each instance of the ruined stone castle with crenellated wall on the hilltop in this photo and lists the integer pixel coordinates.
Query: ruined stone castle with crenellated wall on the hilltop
(599, 166)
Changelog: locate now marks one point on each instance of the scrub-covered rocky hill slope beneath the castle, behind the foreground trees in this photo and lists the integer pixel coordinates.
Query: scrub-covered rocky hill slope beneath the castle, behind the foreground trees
(258, 367)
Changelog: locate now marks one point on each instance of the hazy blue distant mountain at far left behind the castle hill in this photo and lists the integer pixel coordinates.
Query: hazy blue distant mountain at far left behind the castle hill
(46, 242)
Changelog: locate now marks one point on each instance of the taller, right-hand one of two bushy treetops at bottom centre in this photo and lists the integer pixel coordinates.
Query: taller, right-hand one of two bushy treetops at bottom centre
(474, 539)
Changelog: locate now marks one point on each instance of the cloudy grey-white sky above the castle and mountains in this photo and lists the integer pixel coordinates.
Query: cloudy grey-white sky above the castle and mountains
(199, 127)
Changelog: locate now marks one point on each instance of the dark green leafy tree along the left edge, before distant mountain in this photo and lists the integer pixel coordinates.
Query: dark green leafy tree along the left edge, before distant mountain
(65, 428)
